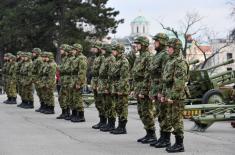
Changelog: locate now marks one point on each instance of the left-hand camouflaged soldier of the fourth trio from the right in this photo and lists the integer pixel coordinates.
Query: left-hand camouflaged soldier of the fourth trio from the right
(37, 65)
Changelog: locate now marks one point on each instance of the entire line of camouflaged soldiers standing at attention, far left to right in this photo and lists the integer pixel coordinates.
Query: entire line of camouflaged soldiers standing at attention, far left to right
(156, 81)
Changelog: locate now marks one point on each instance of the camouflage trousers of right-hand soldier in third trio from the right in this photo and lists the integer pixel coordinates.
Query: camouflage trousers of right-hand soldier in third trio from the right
(77, 101)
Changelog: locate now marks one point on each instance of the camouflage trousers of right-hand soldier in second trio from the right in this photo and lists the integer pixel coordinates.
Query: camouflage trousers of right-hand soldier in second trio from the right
(121, 106)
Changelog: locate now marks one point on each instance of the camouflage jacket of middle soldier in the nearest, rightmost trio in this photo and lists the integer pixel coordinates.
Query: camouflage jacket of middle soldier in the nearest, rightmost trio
(155, 70)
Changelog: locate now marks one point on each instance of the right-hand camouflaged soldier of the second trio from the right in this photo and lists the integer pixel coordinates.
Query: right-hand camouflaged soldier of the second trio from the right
(121, 88)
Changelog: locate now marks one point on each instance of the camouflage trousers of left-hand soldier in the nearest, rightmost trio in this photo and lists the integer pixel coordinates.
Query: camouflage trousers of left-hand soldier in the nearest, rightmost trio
(146, 113)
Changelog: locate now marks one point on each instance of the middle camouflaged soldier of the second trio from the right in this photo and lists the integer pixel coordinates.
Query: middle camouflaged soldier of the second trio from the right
(105, 85)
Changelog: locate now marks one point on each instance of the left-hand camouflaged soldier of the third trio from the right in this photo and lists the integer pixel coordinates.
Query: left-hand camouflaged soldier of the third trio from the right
(64, 90)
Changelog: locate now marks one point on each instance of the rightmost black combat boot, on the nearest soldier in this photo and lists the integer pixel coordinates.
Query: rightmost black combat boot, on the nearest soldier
(177, 147)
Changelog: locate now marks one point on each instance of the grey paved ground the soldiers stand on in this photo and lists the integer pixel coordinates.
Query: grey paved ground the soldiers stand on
(25, 132)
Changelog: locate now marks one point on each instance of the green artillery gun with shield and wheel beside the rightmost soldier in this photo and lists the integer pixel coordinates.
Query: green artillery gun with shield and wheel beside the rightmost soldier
(205, 89)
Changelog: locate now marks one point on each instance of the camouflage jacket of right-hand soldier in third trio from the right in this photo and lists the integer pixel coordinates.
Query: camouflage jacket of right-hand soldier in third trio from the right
(79, 70)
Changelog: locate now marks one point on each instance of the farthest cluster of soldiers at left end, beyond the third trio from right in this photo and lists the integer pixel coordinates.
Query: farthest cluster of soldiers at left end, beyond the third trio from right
(27, 70)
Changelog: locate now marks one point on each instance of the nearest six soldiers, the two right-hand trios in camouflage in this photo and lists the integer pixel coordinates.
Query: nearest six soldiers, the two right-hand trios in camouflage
(157, 82)
